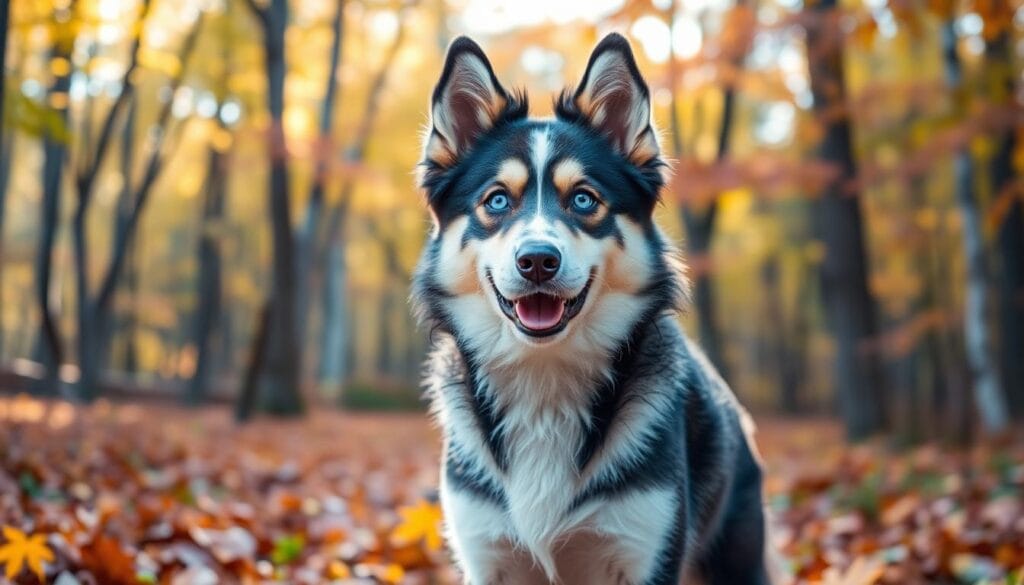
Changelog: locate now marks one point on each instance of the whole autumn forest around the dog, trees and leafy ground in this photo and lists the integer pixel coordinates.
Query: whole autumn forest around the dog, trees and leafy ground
(209, 218)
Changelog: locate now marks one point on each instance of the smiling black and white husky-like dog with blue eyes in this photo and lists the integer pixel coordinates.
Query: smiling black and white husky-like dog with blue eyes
(586, 439)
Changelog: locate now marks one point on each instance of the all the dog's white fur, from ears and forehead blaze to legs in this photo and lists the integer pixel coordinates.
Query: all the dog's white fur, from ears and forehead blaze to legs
(544, 388)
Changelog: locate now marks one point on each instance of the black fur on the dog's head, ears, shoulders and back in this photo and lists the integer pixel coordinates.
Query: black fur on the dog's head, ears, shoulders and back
(698, 445)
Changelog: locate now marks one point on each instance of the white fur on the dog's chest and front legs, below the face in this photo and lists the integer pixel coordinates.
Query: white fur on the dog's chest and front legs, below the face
(542, 427)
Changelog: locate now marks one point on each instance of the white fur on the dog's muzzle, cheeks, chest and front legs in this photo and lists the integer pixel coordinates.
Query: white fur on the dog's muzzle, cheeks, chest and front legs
(544, 392)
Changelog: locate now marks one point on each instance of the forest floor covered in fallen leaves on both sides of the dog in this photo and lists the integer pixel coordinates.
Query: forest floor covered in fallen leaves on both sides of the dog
(118, 494)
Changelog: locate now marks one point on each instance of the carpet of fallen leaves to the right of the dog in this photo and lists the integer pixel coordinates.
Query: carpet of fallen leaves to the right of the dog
(864, 516)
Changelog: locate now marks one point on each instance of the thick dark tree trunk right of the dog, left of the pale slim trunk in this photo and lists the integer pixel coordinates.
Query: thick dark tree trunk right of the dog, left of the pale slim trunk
(849, 307)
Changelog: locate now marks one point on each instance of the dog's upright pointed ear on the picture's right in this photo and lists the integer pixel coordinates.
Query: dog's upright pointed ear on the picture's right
(615, 100)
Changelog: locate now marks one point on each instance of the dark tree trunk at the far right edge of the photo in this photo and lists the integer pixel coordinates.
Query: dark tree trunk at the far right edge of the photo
(1010, 238)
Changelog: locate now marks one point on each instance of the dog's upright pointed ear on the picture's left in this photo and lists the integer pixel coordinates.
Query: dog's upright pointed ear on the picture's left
(467, 103)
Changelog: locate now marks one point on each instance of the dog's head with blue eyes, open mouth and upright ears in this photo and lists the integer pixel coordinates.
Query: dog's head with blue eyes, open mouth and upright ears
(544, 237)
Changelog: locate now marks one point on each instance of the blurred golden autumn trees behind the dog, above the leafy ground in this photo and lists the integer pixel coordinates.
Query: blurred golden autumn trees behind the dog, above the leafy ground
(214, 200)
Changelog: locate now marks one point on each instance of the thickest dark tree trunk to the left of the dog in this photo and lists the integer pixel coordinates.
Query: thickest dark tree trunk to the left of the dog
(282, 395)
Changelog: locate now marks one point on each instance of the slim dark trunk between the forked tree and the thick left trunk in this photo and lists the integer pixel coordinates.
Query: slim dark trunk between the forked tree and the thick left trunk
(209, 290)
